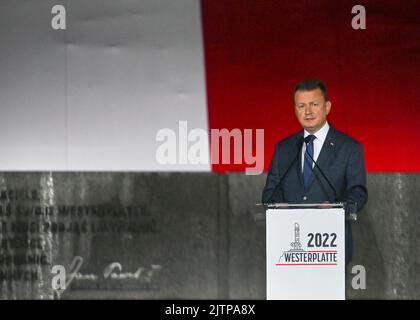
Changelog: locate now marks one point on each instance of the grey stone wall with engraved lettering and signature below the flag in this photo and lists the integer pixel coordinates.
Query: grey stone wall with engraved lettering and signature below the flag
(180, 236)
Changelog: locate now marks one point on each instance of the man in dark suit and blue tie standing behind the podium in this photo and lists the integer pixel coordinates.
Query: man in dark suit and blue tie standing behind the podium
(294, 178)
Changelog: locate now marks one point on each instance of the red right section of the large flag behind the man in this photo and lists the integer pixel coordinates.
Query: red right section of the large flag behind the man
(256, 51)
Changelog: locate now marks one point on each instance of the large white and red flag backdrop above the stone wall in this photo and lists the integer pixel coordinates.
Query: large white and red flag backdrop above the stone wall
(94, 96)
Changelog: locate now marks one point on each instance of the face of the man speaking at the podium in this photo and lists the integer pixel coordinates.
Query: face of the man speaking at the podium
(311, 109)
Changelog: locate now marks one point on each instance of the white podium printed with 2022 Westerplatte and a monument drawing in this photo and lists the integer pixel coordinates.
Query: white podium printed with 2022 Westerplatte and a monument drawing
(305, 246)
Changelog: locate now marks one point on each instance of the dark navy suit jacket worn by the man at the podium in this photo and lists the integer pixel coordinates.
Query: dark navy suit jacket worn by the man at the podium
(342, 161)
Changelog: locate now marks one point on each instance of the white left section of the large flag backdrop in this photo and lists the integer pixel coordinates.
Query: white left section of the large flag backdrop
(97, 93)
